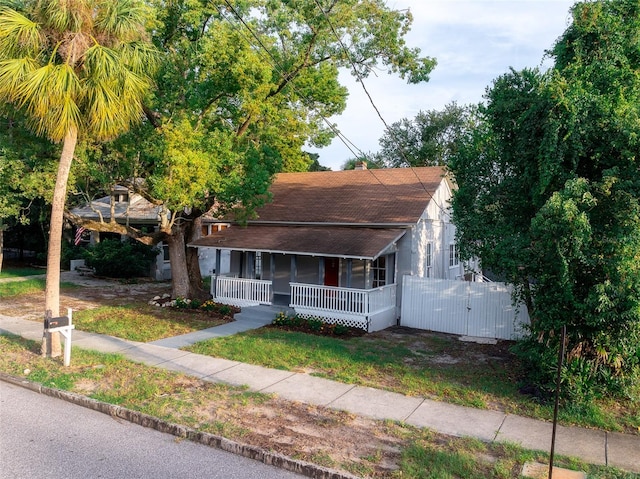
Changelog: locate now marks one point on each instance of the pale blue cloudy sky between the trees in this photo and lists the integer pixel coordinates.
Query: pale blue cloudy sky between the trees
(473, 41)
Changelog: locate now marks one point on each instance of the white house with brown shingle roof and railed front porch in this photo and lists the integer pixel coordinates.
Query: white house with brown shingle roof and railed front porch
(335, 245)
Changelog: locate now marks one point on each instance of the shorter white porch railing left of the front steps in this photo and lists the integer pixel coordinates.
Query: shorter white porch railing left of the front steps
(241, 291)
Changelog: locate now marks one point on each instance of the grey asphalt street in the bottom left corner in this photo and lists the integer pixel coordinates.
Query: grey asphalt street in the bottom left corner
(46, 437)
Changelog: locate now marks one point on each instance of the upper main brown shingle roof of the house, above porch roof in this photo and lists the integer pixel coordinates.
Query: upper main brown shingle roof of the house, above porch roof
(385, 196)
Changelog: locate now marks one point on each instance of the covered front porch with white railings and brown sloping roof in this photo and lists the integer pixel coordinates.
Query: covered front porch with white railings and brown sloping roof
(355, 288)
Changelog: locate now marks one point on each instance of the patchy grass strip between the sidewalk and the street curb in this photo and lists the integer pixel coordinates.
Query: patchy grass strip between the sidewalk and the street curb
(239, 415)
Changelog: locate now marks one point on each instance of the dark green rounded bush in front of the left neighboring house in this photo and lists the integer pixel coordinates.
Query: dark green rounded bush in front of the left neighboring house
(120, 259)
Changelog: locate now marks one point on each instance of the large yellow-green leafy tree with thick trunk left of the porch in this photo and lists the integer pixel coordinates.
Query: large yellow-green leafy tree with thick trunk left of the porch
(243, 87)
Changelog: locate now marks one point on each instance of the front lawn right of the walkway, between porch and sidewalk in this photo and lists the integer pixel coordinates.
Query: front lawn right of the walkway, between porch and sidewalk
(426, 368)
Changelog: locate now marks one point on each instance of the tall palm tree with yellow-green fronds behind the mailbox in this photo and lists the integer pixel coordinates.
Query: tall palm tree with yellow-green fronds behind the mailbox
(76, 67)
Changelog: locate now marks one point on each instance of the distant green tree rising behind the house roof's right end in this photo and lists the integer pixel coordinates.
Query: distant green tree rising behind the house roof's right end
(429, 139)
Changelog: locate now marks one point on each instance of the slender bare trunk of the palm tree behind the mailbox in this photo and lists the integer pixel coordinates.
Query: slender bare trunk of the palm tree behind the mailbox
(51, 342)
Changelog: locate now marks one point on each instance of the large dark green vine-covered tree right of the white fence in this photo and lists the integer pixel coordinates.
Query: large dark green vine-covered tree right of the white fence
(549, 198)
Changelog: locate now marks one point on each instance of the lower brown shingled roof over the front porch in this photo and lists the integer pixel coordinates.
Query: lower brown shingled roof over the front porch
(360, 243)
